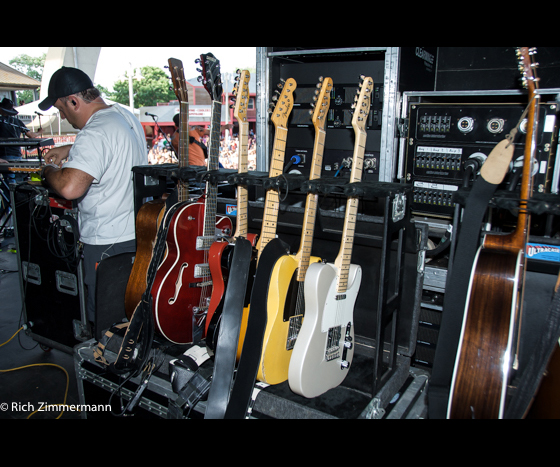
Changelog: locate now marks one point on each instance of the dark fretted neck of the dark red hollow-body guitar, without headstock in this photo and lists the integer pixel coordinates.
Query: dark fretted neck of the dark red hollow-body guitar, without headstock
(213, 164)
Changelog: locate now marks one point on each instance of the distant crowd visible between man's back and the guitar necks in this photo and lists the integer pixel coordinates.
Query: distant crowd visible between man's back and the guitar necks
(162, 153)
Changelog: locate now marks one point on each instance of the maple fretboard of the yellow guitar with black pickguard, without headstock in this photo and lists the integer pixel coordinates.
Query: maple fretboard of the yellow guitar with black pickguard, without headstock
(304, 254)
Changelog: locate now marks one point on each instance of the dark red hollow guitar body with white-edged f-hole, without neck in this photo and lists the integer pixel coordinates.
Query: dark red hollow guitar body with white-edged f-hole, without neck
(177, 289)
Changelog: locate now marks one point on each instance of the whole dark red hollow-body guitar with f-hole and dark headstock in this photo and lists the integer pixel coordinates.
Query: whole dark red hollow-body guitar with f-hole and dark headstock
(182, 285)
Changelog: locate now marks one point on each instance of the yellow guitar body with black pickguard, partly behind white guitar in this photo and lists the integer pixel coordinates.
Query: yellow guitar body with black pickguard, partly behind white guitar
(285, 309)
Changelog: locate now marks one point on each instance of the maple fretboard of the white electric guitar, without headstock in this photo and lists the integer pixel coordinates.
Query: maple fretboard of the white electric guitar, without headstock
(344, 258)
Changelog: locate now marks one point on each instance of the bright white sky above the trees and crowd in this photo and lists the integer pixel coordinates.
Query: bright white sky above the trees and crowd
(114, 61)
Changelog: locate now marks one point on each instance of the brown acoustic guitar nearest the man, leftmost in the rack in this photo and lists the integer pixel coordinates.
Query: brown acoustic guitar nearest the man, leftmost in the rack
(151, 214)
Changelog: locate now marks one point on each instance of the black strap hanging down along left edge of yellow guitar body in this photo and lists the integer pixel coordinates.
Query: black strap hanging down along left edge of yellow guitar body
(241, 394)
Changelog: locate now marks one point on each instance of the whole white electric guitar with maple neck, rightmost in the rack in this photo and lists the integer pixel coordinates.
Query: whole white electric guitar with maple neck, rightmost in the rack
(324, 349)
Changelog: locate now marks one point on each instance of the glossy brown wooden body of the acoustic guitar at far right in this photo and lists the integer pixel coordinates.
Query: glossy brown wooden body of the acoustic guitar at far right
(484, 356)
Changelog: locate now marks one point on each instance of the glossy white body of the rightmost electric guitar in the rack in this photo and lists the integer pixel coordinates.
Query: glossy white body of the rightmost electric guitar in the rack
(311, 374)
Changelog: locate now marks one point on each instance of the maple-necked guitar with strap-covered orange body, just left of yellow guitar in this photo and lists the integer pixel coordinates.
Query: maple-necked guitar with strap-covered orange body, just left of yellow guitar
(283, 103)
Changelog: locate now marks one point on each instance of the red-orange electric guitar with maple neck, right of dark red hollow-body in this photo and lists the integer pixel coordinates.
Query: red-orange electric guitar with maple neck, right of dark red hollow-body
(221, 253)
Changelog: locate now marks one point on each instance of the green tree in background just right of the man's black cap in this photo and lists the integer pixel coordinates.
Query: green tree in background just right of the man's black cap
(151, 89)
